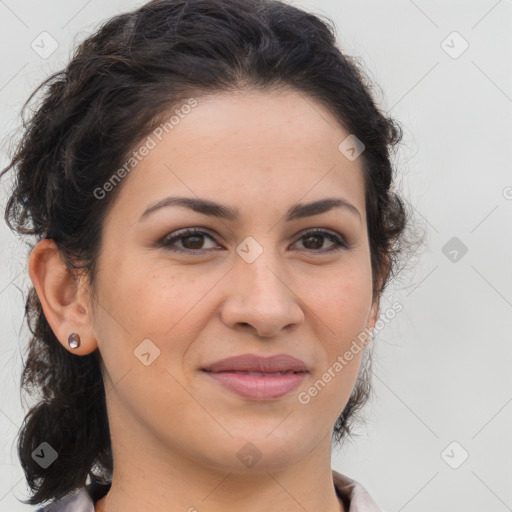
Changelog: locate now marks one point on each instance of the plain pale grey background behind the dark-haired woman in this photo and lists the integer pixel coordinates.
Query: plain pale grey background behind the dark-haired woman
(442, 366)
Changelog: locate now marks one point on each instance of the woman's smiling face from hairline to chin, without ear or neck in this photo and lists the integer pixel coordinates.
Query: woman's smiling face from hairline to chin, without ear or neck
(254, 283)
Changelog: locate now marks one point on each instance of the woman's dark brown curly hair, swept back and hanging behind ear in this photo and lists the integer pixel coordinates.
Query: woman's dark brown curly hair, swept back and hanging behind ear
(89, 117)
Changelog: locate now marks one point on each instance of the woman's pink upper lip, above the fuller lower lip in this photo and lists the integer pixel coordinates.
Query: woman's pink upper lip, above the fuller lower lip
(250, 364)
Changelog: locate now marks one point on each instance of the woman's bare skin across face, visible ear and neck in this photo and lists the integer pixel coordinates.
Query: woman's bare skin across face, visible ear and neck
(175, 433)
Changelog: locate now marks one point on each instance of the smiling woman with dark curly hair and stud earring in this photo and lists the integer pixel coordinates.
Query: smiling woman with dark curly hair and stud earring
(211, 188)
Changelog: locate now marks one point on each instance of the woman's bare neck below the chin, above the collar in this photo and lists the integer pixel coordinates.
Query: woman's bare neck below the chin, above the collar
(184, 486)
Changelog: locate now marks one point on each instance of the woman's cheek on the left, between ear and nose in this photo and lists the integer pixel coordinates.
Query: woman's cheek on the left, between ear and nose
(157, 302)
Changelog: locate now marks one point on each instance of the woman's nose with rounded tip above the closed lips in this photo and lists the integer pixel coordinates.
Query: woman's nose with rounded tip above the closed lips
(260, 299)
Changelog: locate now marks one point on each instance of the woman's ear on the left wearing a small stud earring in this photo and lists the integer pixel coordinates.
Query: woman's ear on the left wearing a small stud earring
(64, 297)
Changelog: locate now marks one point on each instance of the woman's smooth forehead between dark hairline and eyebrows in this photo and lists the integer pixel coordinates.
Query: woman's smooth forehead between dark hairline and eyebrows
(251, 148)
